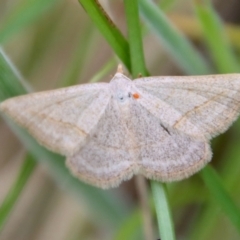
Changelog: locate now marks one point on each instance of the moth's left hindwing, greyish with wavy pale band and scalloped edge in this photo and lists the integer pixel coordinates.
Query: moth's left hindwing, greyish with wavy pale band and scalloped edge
(106, 158)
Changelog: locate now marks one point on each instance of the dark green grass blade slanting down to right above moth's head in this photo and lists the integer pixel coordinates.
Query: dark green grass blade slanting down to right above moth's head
(111, 33)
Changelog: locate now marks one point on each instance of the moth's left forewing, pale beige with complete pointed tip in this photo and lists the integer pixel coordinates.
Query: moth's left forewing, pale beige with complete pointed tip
(60, 119)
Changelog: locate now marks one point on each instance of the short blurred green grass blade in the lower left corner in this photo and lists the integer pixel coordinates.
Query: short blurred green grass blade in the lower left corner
(17, 188)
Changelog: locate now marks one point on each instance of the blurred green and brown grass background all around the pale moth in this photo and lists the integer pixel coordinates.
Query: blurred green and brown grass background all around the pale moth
(60, 43)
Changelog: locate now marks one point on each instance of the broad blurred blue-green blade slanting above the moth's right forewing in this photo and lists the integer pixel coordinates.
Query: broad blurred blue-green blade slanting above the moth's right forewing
(175, 43)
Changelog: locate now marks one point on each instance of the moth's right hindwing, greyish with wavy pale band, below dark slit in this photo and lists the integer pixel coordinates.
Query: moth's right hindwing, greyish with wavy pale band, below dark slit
(162, 153)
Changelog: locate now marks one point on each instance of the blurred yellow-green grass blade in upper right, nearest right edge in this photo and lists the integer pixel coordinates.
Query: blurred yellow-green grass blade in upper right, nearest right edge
(216, 39)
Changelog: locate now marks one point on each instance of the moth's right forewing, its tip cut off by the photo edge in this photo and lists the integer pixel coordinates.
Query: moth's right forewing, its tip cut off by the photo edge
(196, 105)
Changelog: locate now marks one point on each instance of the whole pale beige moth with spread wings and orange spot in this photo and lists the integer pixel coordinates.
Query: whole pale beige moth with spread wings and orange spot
(159, 127)
